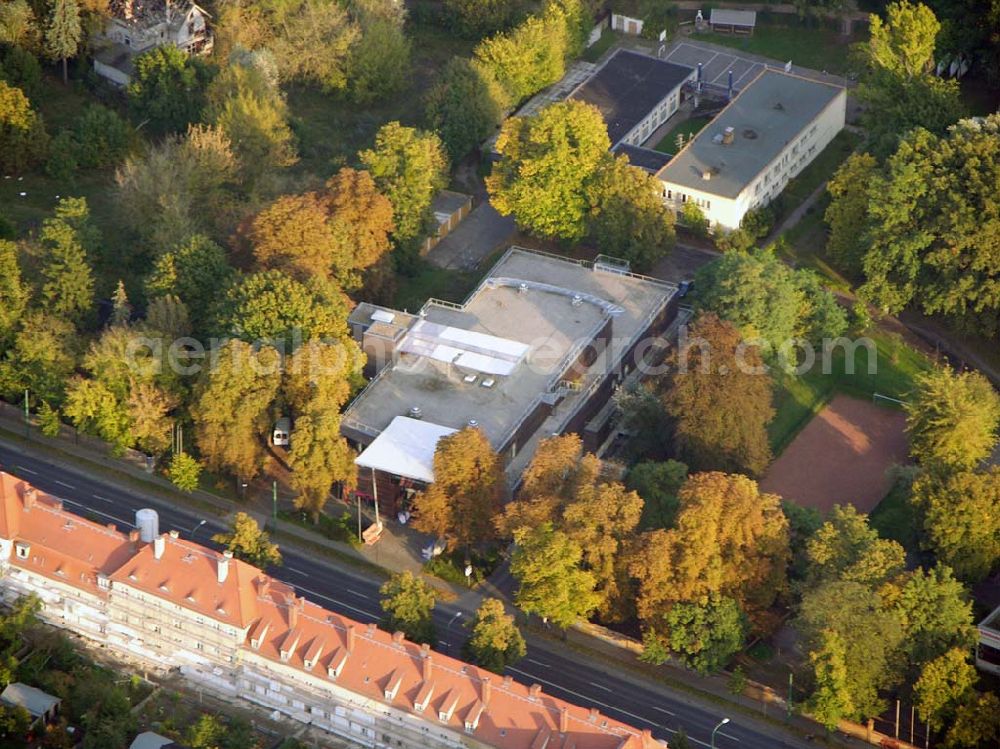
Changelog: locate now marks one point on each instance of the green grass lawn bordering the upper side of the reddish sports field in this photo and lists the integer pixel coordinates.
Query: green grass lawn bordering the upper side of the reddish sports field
(797, 398)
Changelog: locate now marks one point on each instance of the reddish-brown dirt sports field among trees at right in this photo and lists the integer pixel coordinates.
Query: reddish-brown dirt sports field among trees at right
(841, 456)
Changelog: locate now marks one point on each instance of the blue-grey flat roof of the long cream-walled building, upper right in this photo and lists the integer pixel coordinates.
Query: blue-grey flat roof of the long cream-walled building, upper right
(766, 116)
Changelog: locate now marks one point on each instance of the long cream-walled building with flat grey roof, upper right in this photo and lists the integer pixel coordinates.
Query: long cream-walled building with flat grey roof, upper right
(748, 153)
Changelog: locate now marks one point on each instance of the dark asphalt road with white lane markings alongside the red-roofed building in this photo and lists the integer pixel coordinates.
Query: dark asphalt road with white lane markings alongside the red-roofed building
(351, 594)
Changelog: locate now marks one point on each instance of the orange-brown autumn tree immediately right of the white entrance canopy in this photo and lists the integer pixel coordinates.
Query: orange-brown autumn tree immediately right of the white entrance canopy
(462, 503)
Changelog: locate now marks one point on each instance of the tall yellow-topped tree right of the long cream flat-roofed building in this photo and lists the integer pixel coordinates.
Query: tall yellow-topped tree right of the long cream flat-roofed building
(898, 83)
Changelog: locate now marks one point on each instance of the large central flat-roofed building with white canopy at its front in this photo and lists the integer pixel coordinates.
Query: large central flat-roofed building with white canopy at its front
(535, 348)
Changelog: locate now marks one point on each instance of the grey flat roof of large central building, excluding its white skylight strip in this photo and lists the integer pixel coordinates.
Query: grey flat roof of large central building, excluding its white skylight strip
(543, 316)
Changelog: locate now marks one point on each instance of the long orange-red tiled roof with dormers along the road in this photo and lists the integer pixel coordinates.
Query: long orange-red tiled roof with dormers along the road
(362, 659)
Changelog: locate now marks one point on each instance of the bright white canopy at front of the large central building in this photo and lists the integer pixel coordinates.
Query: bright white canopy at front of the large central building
(405, 448)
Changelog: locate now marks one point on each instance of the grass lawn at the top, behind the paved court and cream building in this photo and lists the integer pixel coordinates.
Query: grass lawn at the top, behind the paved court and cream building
(816, 48)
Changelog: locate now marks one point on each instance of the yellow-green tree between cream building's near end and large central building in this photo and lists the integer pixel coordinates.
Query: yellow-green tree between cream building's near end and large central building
(627, 216)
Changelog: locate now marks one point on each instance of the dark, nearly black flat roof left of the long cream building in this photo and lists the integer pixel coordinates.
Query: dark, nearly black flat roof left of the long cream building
(628, 87)
